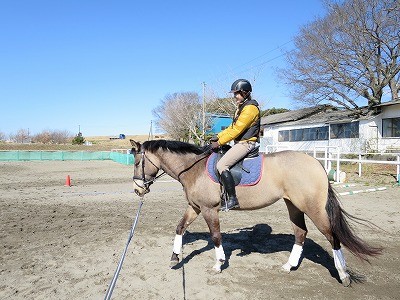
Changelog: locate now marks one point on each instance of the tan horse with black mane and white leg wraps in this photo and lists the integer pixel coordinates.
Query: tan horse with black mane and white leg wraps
(297, 178)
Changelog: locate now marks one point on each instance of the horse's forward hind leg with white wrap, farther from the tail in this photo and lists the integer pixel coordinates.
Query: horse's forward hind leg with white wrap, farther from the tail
(300, 233)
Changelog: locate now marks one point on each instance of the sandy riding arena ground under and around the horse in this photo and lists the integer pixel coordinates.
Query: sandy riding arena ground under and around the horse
(59, 242)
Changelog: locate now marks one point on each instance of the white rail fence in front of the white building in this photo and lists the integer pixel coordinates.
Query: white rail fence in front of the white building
(333, 153)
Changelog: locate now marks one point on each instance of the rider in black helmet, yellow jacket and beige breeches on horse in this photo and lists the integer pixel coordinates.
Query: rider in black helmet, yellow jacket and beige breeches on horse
(244, 131)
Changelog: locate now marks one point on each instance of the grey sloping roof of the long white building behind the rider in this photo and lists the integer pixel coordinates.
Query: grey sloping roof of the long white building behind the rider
(313, 115)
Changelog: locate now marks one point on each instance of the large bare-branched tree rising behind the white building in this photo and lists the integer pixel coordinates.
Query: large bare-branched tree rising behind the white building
(349, 55)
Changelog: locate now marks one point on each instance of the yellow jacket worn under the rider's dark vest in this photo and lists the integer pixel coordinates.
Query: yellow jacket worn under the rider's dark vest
(248, 117)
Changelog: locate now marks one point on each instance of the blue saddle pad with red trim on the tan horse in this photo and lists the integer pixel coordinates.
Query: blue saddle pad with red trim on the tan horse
(251, 174)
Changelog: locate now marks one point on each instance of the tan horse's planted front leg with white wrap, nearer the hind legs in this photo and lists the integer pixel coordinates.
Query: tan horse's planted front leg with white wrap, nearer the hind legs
(212, 220)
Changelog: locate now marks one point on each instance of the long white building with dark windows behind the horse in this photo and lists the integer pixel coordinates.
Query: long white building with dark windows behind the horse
(324, 125)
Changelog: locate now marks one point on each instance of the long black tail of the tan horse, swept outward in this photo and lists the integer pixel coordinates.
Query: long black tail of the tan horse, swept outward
(342, 230)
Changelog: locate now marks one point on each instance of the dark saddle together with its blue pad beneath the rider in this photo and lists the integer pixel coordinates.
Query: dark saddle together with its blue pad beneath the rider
(246, 172)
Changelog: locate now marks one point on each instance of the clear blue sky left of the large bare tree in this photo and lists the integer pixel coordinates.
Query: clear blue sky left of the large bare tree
(105, 65)
